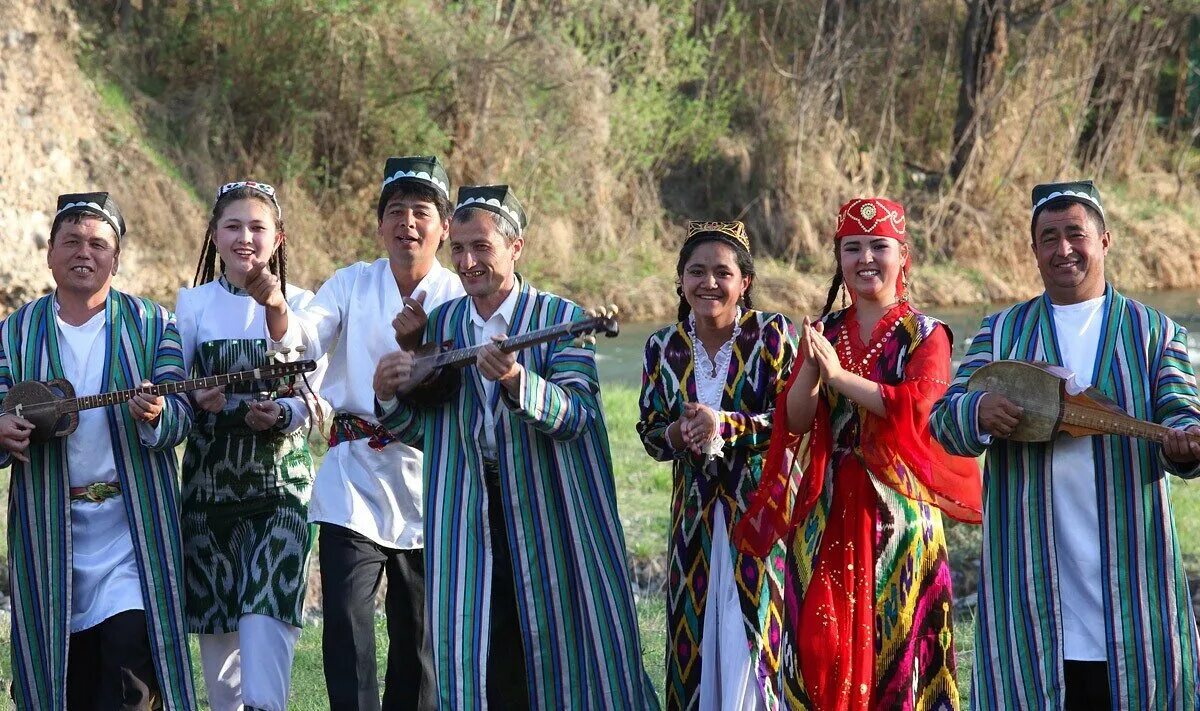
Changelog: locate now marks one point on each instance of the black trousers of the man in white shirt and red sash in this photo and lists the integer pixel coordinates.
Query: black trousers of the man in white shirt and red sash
(352, 569)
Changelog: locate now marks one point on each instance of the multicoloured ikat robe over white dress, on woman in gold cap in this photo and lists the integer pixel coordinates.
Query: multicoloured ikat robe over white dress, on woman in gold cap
(763, 359)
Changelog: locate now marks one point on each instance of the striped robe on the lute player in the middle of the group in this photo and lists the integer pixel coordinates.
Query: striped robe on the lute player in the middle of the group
(578, 617)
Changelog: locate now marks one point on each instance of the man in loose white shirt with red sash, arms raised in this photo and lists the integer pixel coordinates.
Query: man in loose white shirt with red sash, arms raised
(368, 494)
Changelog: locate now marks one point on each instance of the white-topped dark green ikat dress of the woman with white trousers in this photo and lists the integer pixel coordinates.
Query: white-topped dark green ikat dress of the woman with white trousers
(247, 537)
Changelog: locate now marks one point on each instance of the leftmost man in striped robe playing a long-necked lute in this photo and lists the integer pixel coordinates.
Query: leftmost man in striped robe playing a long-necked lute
(95, 564)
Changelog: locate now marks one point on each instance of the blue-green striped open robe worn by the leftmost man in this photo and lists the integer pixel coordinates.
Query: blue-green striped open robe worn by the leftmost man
(145, 345)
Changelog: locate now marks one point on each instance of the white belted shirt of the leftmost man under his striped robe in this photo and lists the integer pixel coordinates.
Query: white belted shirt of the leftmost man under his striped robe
(104, 570)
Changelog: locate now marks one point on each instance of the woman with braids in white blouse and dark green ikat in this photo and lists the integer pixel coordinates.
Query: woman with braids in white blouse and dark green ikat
(247, 470)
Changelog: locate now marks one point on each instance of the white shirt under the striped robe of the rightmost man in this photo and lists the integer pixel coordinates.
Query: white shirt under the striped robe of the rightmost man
(1075, 513)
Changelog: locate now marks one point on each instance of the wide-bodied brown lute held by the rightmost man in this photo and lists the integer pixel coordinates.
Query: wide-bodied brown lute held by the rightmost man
(1051, 408)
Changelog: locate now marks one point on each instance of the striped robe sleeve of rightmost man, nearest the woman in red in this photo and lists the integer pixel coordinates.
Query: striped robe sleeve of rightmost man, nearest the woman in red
(955, 421)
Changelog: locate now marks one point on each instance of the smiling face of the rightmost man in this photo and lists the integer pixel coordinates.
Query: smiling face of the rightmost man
(1071, 246)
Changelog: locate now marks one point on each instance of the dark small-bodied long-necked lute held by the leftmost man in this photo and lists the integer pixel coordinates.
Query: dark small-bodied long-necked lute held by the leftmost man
(53, 409)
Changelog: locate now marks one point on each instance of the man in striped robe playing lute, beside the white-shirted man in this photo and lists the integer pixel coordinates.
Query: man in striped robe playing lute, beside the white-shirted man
(530, 598)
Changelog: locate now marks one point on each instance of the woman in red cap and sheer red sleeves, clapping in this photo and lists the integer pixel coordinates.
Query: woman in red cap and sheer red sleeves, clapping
(868, 607)
